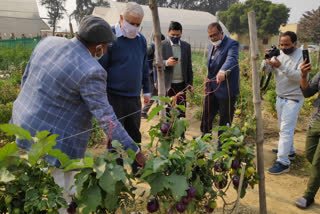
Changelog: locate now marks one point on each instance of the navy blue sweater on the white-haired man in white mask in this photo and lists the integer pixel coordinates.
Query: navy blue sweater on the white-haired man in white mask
(126, 63)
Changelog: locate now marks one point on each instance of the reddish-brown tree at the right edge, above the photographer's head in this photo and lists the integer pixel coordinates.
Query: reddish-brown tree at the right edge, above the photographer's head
(309, 27)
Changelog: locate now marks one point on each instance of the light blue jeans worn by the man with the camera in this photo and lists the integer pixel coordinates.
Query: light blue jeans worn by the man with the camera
(287, 112)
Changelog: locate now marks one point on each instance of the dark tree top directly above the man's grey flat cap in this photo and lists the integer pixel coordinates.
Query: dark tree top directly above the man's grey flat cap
(85, 7)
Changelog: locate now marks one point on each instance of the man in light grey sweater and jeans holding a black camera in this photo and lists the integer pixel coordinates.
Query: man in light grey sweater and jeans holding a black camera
(286, 66)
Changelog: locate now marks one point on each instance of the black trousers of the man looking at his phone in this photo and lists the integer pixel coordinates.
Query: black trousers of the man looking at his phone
(181, 98)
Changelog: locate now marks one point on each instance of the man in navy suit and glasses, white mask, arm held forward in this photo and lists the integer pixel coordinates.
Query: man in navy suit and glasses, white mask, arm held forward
(222, 85)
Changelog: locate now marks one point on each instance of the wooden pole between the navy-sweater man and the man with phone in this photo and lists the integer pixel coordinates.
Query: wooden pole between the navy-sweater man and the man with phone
(158, 52)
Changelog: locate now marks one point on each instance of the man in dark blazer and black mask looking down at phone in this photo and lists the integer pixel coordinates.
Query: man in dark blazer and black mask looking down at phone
(178, 72)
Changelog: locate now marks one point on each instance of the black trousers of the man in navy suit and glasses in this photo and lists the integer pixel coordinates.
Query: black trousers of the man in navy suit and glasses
(211, 107)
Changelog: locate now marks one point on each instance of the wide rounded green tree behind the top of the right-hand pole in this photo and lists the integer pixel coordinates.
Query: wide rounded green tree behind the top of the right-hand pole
(269, 17)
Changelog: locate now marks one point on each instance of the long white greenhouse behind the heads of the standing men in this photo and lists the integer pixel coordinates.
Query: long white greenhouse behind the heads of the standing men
(194, 23)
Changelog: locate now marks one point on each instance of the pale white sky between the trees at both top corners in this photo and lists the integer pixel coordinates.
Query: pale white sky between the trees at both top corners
(297, 8)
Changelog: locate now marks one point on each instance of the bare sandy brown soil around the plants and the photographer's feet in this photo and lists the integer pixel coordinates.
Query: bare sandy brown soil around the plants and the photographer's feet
(281, 190)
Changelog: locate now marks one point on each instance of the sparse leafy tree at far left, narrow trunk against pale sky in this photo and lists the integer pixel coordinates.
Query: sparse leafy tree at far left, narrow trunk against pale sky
(55, 11)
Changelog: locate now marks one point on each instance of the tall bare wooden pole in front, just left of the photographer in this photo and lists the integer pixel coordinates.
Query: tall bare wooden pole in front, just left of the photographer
(257, 108)
